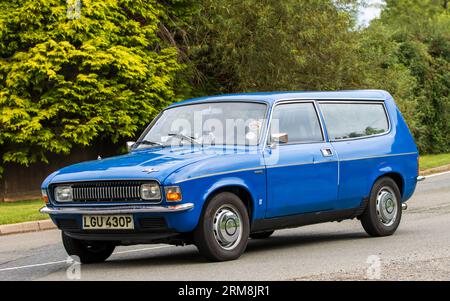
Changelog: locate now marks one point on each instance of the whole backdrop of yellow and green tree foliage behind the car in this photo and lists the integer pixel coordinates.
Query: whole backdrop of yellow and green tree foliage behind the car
(69, 81)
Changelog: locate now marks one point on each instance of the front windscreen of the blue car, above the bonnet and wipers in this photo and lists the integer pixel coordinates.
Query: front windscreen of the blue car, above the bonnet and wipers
(221, 123)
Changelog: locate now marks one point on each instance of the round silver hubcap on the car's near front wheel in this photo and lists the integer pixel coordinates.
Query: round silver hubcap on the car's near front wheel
(227, 227)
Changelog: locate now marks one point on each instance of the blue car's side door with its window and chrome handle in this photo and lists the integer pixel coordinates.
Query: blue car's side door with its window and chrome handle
(302, 174)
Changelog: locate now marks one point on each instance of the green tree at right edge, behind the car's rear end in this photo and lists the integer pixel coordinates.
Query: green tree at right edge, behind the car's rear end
(421, 29)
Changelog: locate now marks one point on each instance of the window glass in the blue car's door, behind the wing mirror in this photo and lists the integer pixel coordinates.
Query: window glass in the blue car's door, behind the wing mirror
(298, 120)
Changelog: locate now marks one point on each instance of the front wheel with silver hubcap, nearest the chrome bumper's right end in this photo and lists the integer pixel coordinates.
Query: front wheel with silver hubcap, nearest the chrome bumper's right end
(223, 230)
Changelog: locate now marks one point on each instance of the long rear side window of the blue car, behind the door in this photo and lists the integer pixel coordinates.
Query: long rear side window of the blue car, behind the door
(353, 120)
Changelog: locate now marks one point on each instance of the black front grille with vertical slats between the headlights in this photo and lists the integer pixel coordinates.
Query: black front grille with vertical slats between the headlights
(111, 191)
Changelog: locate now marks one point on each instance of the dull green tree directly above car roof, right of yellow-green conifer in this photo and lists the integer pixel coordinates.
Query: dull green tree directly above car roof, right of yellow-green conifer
(255, 45)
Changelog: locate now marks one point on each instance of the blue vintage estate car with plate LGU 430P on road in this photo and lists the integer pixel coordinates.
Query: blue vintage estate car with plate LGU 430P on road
(216, 171)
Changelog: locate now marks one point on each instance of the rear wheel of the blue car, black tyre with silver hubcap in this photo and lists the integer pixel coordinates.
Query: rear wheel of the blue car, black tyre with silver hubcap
(384, 210)
